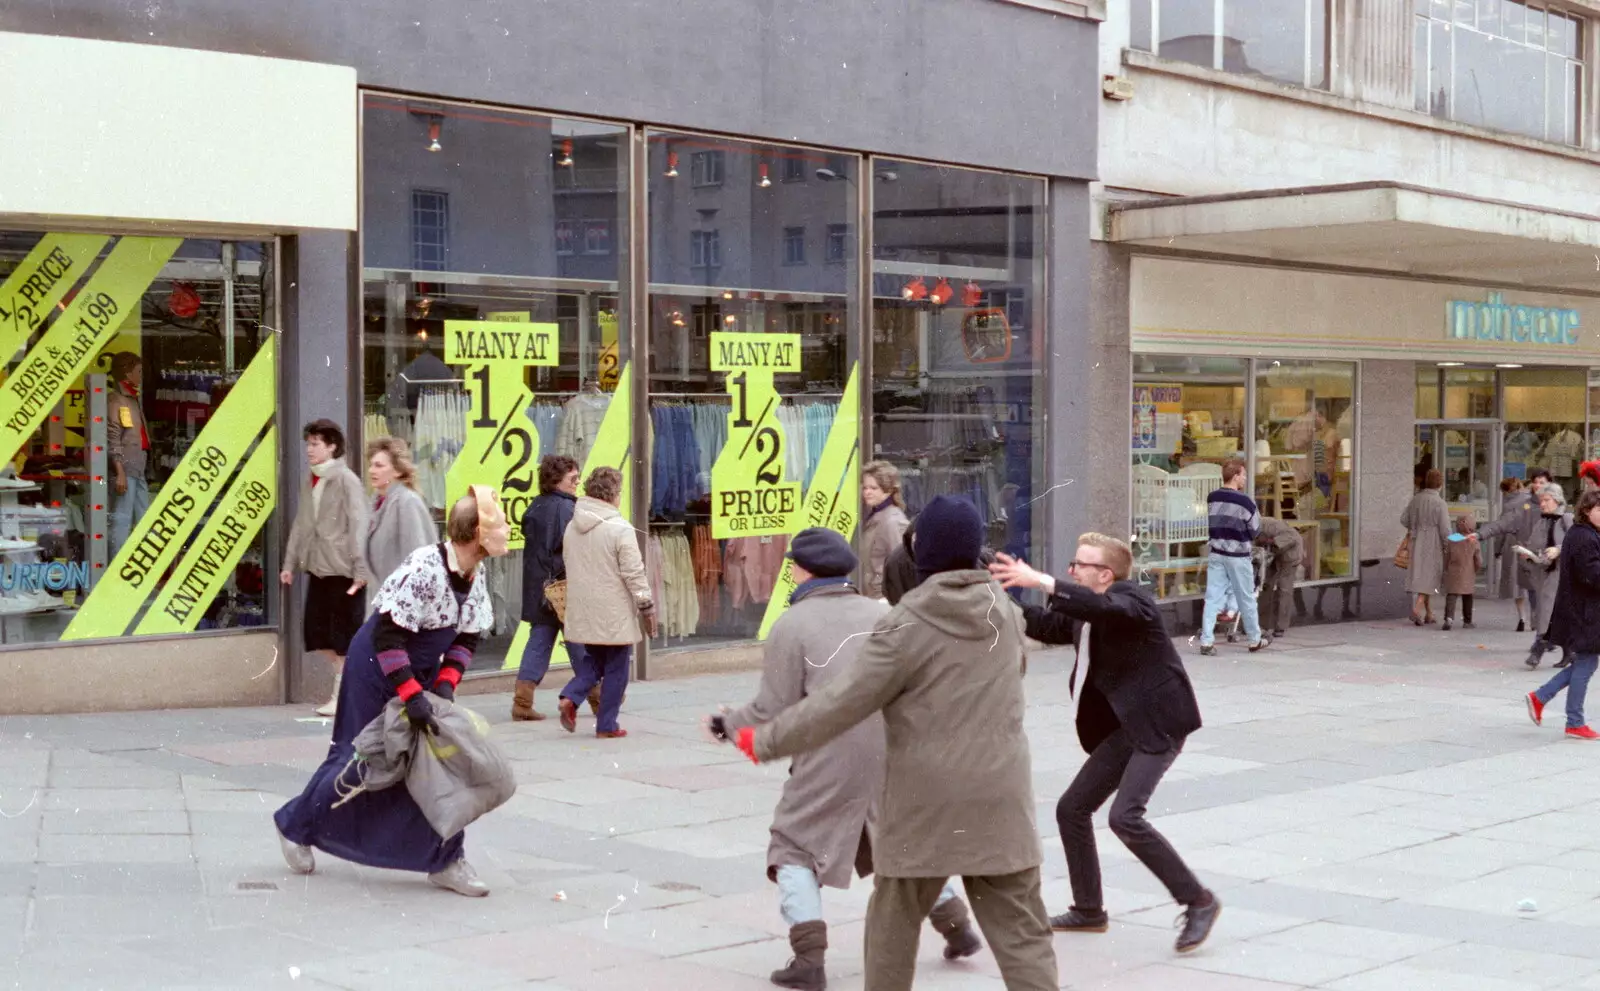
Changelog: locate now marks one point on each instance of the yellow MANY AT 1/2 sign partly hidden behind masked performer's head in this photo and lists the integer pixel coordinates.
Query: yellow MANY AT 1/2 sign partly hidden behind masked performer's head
(500, 449)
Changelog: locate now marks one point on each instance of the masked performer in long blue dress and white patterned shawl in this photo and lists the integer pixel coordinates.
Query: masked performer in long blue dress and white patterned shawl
(417, 646)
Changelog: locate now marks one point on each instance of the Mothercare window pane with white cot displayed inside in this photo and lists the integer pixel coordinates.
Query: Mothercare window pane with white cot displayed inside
(1188, 422)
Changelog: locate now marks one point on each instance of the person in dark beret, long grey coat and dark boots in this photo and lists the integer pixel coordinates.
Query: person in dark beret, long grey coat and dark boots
(830, 803)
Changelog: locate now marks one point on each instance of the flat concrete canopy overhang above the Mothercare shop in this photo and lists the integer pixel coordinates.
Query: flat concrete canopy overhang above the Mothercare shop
(1377, 227)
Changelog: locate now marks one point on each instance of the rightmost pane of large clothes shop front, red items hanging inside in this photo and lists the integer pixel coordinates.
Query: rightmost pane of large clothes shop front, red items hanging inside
(954, 390)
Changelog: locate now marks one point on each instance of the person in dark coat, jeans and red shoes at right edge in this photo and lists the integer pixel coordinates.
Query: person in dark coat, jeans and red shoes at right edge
(1575, 620)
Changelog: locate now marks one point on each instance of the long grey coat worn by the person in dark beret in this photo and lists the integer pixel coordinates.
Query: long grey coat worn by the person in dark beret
(833, 793)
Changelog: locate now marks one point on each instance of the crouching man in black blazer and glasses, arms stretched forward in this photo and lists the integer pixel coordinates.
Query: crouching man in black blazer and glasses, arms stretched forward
(1135, 712)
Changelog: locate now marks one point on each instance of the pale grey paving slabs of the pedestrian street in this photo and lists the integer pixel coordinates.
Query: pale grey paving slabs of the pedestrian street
(1369, 800)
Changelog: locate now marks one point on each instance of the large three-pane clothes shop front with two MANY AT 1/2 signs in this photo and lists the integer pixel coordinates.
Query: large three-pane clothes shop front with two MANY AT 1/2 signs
(497, 331)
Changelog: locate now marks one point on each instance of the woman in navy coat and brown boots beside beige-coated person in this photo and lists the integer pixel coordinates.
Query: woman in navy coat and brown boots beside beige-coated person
(543, 529)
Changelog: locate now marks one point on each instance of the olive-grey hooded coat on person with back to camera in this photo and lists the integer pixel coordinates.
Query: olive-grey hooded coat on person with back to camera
(945, 667)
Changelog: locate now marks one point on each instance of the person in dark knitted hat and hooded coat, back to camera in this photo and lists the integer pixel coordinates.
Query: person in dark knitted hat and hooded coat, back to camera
(945, 667)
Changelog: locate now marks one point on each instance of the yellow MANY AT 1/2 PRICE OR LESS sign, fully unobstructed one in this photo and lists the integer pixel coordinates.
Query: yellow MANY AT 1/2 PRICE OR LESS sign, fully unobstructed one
(748, 491)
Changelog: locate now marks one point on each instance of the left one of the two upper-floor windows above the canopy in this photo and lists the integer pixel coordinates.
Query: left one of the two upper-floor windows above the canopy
(1286, 41)
